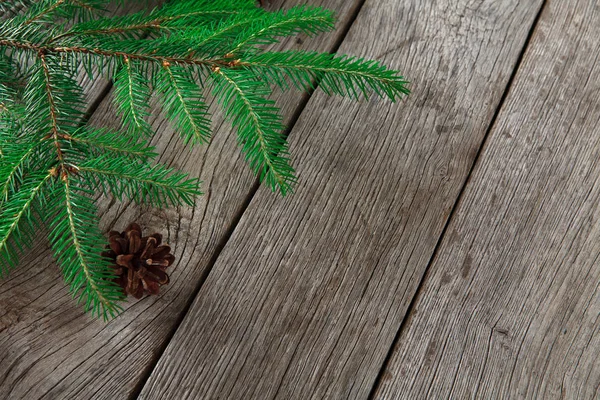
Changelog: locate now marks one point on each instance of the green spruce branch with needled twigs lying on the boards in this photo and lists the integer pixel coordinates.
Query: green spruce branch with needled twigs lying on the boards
(52, 163)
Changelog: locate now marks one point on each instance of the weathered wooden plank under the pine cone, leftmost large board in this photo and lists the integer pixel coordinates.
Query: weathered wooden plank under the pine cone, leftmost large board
(48, 348)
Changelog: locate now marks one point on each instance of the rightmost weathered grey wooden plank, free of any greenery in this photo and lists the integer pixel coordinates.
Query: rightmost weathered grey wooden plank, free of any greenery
(510, 306)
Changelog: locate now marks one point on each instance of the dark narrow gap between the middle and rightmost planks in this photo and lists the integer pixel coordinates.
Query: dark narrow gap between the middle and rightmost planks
(411, 306)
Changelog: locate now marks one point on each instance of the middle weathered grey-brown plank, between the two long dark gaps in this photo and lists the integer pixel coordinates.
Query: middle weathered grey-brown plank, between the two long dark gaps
(306, 298)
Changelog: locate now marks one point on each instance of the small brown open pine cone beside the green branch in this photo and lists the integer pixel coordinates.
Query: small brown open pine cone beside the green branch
(140, 262)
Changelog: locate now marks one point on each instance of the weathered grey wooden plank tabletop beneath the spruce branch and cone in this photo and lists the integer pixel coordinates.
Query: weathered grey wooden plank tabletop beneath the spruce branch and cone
(443, 247)
